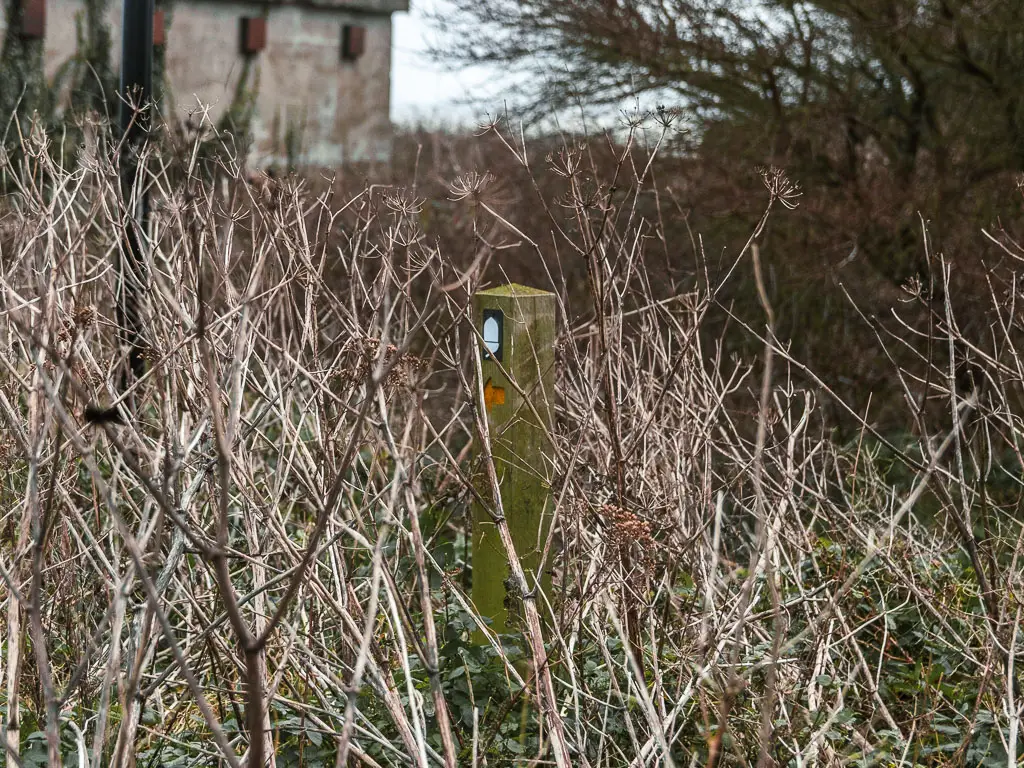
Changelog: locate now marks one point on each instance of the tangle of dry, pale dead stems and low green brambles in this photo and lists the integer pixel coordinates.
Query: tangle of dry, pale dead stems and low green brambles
(267, 560)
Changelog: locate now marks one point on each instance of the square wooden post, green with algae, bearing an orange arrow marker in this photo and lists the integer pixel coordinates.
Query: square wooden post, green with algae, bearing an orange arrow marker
(519, 370)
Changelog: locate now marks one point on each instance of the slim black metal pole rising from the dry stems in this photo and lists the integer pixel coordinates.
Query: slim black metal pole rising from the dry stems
(136, 114)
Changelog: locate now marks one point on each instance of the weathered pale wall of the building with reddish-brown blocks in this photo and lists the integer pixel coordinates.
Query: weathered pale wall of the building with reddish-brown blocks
(312, 107)
